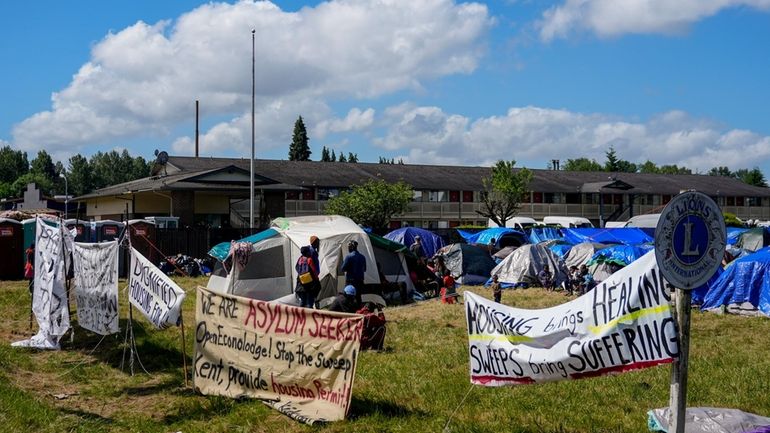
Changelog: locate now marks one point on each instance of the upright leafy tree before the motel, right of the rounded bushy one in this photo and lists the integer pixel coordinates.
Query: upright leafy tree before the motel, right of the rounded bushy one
(504, 191)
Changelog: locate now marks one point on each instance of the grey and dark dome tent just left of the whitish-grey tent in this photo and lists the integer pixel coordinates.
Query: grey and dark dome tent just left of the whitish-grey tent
(468, 263)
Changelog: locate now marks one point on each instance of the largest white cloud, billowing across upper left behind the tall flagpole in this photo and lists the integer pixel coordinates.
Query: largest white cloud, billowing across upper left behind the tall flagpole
(142, 80)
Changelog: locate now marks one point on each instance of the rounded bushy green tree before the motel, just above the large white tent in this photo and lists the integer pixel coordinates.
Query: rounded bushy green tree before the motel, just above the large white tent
(373, 203)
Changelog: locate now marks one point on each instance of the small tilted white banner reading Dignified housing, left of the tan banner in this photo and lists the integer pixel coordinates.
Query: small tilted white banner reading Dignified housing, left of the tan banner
(154, 293)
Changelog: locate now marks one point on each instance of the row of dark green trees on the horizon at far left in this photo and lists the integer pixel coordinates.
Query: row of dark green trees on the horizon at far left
(83, 175)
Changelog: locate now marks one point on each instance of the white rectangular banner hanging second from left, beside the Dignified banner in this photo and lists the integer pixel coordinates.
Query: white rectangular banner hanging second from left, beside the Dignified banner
(96, 286)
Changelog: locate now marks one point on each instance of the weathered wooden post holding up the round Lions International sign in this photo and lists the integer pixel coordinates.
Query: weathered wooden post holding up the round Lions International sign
(678, 403)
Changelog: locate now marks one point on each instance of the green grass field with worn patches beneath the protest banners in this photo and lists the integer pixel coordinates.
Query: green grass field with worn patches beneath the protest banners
(415, 385)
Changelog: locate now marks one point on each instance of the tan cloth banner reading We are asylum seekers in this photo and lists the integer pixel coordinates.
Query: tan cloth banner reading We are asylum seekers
(299, 361)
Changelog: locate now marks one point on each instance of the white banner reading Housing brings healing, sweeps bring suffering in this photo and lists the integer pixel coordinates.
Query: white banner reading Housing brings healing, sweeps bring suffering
(622, 324)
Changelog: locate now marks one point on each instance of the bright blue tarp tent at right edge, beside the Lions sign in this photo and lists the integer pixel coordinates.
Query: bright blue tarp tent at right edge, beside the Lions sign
(745, 280)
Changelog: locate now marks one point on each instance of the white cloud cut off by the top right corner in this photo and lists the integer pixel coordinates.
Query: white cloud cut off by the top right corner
(616, 17)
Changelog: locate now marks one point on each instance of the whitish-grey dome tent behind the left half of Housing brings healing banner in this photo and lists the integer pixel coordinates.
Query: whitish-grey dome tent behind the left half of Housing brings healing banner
(524, 264)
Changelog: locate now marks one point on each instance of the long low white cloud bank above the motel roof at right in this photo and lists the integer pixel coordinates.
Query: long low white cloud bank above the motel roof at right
(534, 135)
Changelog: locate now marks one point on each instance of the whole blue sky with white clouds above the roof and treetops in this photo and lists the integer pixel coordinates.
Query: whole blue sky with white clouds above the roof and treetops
(435, 81)
